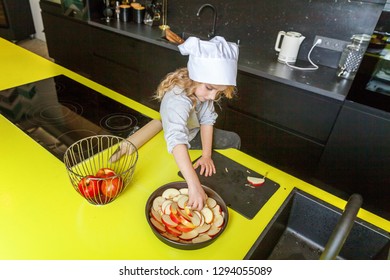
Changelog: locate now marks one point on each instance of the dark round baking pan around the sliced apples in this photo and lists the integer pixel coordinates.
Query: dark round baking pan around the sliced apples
(177, 244)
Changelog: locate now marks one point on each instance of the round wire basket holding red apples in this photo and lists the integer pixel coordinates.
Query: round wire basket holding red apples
(92, 172)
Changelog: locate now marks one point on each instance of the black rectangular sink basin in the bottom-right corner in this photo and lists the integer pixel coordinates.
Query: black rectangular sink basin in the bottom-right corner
(302, 227)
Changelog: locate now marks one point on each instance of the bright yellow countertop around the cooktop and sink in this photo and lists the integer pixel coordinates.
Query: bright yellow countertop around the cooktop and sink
(43, 217)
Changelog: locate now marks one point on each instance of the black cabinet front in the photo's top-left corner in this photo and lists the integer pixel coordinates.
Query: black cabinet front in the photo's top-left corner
(16, 21)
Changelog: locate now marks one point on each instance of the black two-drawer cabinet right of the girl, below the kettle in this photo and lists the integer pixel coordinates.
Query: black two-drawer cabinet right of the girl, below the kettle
(282, 125)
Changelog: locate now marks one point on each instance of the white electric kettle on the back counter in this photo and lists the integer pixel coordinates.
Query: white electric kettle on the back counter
(287, 44)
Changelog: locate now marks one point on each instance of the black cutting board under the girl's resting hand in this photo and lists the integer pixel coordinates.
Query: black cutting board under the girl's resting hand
(230, 182)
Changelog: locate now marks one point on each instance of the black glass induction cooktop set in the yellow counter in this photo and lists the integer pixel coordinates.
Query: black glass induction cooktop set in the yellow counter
(58, 111)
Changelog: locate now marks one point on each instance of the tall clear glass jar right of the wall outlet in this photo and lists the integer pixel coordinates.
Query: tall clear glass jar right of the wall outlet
(352, 55)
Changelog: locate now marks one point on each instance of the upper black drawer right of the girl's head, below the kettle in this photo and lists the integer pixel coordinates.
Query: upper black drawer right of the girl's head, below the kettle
(290, 108)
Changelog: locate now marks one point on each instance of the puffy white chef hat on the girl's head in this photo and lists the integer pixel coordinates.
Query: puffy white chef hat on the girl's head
(213, 62)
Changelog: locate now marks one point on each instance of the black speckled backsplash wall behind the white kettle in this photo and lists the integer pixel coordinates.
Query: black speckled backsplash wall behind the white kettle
(257, 23)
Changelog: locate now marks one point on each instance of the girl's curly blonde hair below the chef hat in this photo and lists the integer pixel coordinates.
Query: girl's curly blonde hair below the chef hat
(181, 79)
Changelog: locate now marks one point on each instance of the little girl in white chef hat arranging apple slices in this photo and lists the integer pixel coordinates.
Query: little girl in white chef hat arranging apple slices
(187, 108)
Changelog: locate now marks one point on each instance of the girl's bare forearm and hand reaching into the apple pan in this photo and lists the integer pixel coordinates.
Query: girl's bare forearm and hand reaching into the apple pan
(196, 194)
